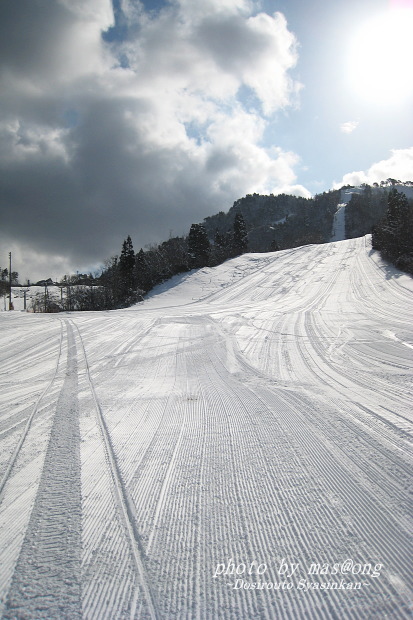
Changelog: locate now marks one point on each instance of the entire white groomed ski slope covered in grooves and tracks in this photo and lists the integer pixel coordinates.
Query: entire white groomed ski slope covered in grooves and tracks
(236, 447)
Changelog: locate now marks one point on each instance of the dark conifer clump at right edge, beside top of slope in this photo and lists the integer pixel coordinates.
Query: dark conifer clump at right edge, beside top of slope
(393, 235)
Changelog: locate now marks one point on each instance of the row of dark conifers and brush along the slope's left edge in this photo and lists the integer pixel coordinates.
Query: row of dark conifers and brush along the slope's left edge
(125, 279)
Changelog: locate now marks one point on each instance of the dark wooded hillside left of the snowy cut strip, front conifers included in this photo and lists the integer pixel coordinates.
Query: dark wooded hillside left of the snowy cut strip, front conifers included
(255, 223)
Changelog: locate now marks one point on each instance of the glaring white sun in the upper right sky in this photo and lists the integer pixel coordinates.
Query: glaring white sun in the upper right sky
(380, 57)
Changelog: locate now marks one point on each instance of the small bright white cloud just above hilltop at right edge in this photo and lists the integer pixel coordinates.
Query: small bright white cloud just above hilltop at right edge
(398, 166)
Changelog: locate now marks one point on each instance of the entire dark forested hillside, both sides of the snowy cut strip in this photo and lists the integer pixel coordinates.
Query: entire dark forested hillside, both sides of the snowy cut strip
(255, 223)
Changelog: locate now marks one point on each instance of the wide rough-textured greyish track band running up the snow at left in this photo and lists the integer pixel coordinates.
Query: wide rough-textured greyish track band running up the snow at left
(49, 558)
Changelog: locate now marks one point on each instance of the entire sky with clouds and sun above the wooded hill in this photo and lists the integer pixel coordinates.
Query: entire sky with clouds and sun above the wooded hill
(142, 117)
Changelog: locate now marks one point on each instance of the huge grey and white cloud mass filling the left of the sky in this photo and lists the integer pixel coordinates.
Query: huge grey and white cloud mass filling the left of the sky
(140, 131)
